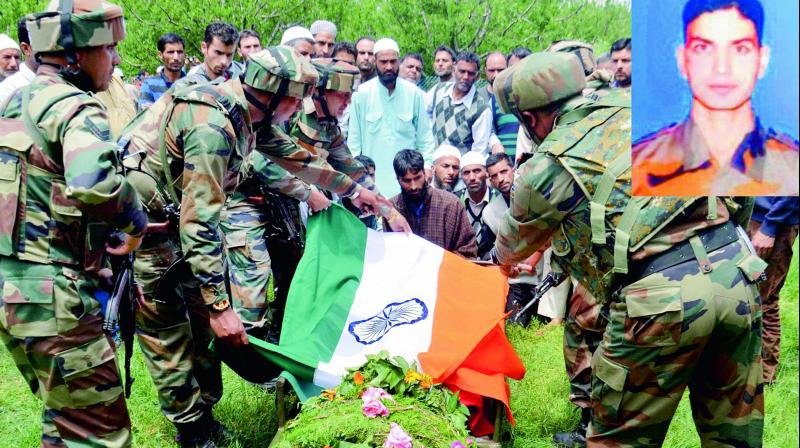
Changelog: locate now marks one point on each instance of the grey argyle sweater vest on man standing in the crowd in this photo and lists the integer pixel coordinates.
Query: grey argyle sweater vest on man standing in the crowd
(453, 122)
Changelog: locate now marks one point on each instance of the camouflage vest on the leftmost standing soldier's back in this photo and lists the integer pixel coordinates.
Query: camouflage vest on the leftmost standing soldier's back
(39, 222)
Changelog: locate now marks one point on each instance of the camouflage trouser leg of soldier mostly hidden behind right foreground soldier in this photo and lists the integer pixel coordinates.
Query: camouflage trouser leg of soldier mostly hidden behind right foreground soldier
(583, 331)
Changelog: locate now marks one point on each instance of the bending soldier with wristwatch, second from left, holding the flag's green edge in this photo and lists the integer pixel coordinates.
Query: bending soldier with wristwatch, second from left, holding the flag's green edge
(188, 151)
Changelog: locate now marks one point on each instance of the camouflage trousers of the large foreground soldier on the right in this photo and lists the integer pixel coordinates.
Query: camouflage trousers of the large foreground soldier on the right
(686, 326)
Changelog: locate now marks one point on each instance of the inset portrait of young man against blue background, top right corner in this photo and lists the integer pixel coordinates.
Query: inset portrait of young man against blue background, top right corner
(715, 108)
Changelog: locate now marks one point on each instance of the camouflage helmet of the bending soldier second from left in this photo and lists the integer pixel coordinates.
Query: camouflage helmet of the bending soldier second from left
(281, 70)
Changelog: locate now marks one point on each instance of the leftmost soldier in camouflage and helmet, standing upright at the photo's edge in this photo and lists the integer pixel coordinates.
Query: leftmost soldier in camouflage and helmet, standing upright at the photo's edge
(62, 192)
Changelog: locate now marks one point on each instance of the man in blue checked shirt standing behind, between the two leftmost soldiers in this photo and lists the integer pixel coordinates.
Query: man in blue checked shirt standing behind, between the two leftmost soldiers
(172, 55)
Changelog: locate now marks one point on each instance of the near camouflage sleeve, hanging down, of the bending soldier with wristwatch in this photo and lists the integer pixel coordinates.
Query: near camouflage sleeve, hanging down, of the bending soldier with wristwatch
(207, 148)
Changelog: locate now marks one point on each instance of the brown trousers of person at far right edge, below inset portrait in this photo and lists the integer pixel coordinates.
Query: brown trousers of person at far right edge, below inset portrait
(779, 259)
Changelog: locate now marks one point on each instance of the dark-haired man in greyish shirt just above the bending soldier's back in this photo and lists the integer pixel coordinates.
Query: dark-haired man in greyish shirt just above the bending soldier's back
(217, 47)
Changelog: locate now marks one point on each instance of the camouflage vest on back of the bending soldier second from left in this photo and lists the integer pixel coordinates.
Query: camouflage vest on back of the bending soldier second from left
(151, 169)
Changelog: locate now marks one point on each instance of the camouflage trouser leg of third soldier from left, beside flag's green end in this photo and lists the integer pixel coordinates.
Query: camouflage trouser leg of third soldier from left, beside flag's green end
(244, 225)
